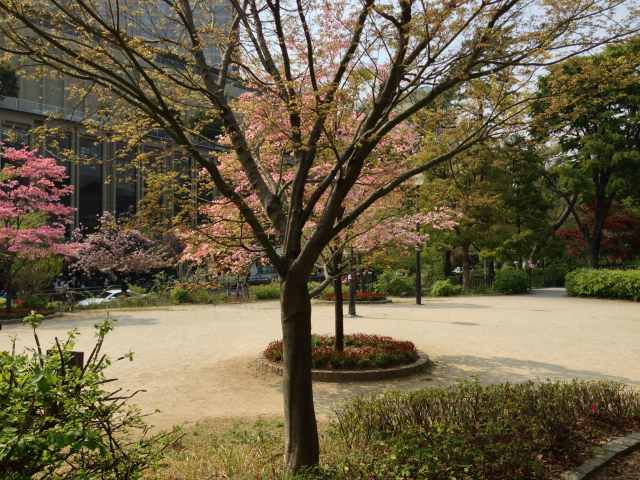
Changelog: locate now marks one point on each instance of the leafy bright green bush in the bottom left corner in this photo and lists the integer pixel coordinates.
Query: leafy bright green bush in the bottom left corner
(58, 421)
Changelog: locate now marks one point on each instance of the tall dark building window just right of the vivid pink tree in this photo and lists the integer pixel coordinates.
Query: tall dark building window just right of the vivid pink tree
(90, 182)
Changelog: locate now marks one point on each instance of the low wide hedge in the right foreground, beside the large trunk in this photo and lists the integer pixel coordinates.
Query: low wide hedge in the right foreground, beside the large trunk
(497, 432)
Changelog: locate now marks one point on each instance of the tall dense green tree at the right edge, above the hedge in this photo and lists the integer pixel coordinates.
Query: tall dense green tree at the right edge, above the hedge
(590, 106)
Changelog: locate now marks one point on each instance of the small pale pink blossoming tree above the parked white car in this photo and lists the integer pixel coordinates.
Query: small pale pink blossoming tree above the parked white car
(117, 251)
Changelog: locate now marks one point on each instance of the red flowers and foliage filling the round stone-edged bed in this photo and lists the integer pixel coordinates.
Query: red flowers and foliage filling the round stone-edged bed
(361, 352)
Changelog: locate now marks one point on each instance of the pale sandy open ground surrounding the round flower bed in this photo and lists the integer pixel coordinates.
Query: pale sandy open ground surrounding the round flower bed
(198, 361)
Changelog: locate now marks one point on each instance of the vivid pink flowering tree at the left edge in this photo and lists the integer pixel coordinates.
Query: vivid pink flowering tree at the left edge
(33, 216)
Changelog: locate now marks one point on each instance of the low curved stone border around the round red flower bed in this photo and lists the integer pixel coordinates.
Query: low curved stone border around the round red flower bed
(342, 376)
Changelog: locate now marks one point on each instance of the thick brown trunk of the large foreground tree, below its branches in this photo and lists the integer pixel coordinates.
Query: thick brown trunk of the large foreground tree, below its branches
(301, 431)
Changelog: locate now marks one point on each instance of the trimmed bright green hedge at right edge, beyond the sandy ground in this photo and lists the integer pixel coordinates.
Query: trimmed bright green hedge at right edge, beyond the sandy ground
(622, 284)
